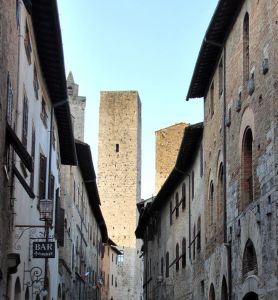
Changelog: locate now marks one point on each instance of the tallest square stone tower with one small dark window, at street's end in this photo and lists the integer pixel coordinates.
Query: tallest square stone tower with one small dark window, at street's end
(119, 179)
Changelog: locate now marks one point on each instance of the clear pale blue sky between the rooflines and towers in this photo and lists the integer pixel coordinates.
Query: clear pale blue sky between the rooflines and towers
(146, 45)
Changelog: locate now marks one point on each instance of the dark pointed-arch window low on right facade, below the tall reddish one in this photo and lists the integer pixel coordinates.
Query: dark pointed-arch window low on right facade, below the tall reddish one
(249, 262)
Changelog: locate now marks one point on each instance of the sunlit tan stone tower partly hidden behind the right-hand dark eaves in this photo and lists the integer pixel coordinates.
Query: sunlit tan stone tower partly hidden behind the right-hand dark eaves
(168, 141)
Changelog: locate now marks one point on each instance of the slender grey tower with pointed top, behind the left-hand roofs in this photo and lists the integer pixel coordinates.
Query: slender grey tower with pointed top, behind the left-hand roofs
(77, 108)
